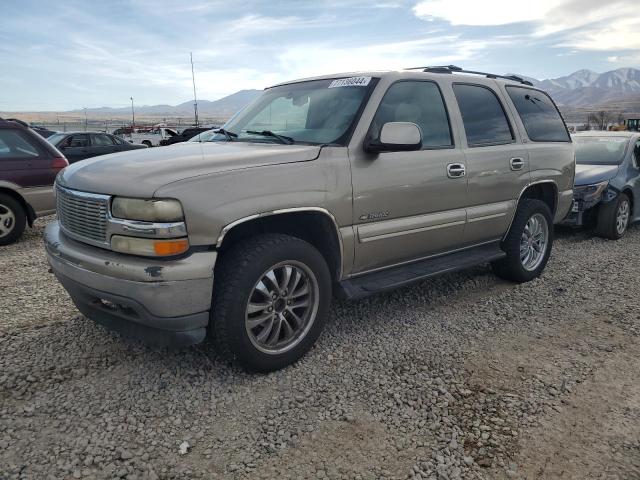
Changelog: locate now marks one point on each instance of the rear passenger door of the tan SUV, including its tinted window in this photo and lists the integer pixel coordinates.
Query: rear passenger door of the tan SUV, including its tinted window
(497, 163)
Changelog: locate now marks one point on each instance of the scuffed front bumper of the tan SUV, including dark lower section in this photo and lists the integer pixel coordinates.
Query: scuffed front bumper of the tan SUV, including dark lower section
(164, 302)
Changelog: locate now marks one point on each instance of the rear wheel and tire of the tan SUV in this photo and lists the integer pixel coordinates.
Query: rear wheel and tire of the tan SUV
(517, 266)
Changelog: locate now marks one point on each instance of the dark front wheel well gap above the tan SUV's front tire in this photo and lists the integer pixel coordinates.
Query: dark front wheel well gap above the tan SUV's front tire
(316, 228)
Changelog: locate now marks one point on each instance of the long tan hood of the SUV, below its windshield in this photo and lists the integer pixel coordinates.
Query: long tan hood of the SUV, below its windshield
(139, 173)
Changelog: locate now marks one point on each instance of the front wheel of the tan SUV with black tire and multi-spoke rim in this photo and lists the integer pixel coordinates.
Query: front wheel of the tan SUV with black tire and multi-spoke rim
(244, 319)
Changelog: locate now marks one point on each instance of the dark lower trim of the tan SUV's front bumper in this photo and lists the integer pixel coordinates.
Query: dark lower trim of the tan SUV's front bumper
(129, 318)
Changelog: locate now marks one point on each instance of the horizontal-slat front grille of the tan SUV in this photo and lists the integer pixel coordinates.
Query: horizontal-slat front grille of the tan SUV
(83, 215)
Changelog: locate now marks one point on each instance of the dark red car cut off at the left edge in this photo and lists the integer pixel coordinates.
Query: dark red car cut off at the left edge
(28, 168)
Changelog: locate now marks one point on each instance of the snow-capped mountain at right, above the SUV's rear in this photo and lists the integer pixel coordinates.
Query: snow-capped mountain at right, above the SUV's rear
(586, 88)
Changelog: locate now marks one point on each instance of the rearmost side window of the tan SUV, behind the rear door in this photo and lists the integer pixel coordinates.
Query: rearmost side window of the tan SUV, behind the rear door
(540, 117)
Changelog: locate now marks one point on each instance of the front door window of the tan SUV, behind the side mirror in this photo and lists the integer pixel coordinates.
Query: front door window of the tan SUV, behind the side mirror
(416, 102)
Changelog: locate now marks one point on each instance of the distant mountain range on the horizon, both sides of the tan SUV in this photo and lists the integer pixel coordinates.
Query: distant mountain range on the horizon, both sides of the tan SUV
(581, 89)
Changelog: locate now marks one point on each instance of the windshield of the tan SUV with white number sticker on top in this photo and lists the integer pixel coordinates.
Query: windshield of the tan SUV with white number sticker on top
(314, 112)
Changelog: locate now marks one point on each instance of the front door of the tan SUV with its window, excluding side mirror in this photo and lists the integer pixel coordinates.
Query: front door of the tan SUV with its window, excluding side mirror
(406, 205)
